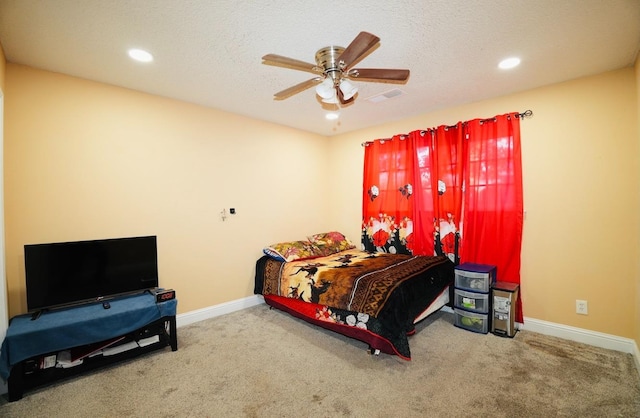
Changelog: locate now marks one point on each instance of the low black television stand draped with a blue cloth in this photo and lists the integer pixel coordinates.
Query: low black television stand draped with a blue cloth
(67, 342)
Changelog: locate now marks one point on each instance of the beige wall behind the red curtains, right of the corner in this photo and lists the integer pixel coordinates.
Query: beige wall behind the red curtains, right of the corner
(580, 158)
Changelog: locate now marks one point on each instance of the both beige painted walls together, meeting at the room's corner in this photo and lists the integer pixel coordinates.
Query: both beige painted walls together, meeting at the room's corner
(86, 160)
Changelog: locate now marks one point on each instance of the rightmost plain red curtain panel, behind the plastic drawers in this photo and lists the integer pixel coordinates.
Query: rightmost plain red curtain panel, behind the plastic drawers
(493, 206)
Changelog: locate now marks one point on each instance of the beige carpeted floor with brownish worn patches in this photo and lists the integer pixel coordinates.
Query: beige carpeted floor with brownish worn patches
(260, 362)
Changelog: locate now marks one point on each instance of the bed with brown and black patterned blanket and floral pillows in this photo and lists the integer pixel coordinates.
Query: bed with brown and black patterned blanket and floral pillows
(373, 297)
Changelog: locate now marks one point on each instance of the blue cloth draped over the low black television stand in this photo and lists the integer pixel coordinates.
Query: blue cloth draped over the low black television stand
(63, 329)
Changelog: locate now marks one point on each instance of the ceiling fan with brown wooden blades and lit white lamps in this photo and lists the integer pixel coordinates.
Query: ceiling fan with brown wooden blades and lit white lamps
(333, 71)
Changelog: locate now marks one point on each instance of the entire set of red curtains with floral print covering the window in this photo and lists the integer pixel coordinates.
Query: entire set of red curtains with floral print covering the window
(454, 190)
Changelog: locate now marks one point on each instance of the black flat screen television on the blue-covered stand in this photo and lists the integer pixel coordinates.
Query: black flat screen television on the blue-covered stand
(69, 273)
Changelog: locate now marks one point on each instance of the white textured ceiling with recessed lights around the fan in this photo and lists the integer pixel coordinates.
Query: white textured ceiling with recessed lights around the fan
(209, 52)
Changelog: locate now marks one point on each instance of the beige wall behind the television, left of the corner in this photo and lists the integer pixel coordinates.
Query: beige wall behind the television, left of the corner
(85, 160)
